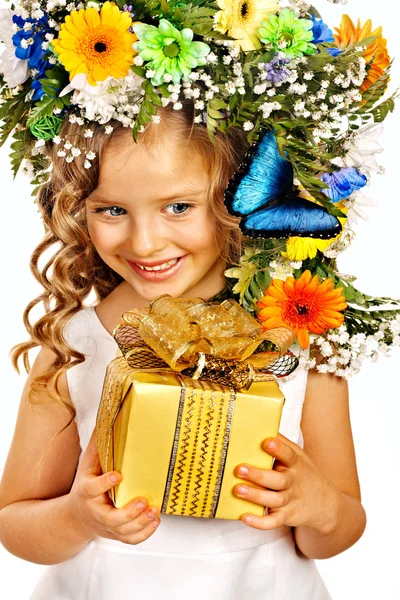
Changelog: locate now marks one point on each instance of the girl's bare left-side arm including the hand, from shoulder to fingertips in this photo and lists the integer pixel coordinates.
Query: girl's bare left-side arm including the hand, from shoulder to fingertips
(49, 509)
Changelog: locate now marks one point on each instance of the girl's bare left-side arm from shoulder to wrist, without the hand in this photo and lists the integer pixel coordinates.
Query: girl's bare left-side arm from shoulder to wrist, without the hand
(36, 523)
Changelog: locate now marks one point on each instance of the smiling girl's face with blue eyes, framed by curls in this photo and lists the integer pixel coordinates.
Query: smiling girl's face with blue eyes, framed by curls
(149, 219)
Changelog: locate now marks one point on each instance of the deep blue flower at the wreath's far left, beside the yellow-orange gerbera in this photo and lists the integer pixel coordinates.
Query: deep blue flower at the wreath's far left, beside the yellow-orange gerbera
(28, 46)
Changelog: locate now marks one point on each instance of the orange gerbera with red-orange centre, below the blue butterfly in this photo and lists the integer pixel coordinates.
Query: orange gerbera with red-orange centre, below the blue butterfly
(302, 305)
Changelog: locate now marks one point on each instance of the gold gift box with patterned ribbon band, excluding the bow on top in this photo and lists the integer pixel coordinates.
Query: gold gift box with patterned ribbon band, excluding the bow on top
(177, 442)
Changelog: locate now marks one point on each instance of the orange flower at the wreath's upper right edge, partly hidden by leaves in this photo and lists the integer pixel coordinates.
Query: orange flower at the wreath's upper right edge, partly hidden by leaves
(376, 53)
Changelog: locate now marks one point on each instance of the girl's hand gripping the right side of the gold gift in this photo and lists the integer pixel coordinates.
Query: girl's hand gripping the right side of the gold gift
(297, 493)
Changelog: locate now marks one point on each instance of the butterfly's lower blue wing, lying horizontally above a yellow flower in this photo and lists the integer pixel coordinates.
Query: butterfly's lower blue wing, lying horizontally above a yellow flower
(291, 216)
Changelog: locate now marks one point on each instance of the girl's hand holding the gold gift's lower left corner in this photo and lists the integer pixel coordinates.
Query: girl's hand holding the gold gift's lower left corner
(95, 512)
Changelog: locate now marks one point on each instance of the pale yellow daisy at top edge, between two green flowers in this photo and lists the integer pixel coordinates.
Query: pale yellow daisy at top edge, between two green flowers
(242, 19)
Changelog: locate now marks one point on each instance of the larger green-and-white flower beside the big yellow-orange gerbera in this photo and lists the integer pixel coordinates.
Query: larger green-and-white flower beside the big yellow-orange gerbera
(168, 50)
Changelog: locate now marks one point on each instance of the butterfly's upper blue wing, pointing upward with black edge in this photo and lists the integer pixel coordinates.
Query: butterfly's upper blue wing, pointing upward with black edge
(263, 176)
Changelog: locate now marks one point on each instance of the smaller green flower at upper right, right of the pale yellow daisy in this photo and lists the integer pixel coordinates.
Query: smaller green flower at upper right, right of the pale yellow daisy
(288, 34)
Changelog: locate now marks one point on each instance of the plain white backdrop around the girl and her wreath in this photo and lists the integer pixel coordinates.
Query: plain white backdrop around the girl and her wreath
(370, 568)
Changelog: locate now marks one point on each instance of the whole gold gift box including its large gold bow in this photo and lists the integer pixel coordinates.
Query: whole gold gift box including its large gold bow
(171, 417)
